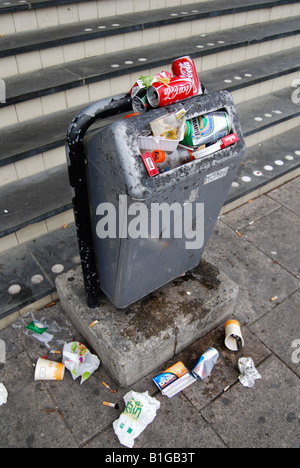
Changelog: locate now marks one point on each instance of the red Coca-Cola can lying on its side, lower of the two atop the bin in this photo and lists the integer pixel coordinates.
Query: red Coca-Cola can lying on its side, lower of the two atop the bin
(160, 94)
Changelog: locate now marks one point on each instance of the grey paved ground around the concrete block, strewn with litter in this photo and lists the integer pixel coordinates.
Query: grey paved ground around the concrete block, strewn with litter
(257, 246)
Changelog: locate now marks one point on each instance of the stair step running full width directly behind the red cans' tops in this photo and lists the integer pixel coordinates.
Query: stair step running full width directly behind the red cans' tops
(78, 83)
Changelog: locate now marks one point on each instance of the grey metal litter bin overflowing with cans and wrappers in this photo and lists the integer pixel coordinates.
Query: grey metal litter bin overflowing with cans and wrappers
(155, 184)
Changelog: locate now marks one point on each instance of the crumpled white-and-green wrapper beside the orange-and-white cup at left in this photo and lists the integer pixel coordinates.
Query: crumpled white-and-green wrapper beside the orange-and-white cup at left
(79, 360)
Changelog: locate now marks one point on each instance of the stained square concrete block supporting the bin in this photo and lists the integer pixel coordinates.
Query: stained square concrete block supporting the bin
(132, 343)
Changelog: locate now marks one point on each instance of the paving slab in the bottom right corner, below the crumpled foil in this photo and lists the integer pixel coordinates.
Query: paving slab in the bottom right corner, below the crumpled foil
(266, 415)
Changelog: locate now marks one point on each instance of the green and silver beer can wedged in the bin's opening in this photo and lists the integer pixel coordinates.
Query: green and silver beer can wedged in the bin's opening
(208, 128)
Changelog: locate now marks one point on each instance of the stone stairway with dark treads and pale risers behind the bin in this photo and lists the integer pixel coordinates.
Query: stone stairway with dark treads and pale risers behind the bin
(57, 57)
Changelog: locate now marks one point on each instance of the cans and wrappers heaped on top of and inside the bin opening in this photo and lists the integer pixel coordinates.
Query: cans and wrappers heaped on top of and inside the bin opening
(173, 140)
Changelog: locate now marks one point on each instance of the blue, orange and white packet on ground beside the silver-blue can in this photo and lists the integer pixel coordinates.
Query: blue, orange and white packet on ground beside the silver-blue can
(174, 379)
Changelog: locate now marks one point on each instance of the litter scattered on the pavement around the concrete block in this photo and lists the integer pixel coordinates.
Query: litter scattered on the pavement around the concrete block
(140, 408)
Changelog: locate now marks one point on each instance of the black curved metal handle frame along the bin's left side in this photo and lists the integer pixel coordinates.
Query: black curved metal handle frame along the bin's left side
(77, 175)
